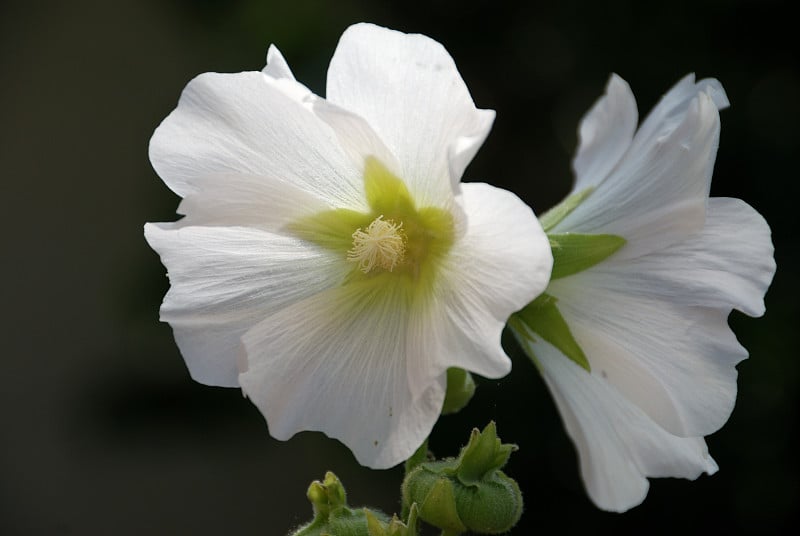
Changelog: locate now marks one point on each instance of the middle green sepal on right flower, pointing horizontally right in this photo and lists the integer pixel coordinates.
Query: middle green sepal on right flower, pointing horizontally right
(574, 253)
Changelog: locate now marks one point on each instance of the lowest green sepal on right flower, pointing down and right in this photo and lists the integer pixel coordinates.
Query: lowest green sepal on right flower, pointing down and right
(543, 318)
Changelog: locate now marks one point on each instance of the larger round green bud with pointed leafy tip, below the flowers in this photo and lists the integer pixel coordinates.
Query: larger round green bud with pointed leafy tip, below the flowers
(469, 492)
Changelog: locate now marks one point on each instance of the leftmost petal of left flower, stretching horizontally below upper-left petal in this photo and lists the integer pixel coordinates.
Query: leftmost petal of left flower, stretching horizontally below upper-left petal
(223, 281)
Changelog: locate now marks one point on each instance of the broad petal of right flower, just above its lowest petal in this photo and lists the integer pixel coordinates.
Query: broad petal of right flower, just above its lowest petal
(677, 363)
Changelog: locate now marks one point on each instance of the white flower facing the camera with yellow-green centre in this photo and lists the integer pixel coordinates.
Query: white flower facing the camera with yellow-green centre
(329, 260)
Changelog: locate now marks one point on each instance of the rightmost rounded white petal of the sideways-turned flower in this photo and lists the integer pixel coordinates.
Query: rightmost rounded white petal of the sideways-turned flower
(728, 265)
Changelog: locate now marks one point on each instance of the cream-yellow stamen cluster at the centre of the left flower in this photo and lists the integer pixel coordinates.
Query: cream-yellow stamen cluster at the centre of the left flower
(381, 245)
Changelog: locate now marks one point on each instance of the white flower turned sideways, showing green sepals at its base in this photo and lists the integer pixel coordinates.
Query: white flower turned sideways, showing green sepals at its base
(634, 343)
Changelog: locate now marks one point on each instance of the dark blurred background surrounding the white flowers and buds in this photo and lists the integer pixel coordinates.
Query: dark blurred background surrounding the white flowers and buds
(103, 431)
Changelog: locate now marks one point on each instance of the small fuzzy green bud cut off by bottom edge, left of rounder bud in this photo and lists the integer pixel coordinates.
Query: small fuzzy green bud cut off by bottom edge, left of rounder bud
(332, 517)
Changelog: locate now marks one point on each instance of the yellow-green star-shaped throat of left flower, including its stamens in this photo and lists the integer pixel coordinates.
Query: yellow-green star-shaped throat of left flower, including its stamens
(395, 240)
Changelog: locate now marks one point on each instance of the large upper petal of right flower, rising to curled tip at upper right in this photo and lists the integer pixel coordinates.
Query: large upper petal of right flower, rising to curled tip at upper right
(657, 194)
